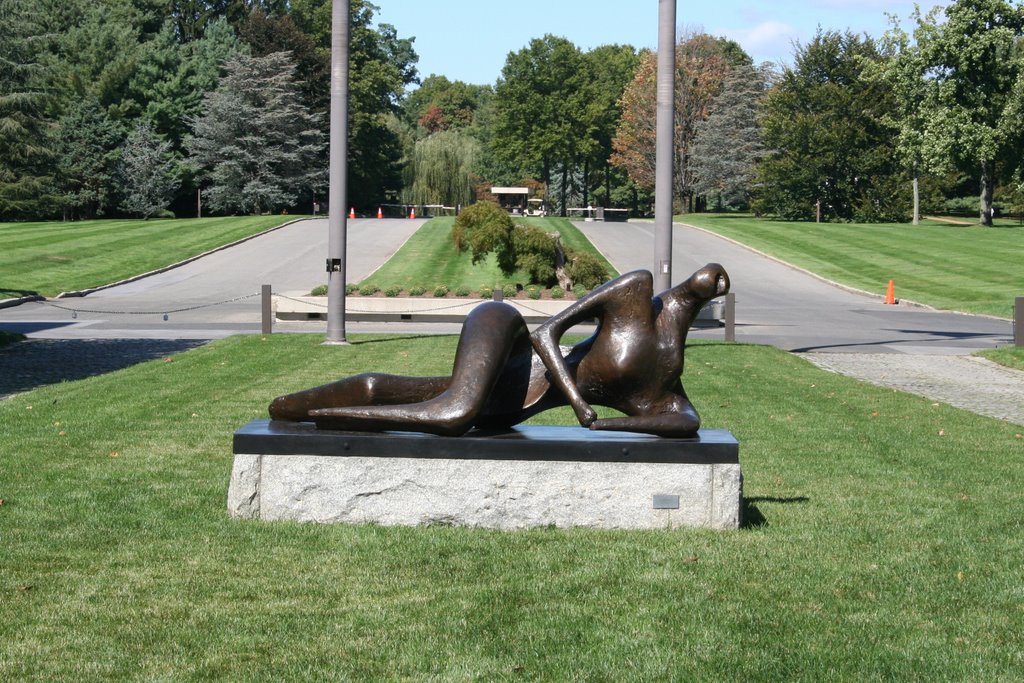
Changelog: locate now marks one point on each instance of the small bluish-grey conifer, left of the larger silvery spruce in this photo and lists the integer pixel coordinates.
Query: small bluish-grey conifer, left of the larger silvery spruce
(148, 174)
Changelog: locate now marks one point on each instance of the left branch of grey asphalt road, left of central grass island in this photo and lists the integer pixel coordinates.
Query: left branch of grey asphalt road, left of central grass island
(291, 260)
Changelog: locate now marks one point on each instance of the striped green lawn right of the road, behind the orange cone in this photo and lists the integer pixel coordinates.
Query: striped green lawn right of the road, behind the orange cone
(968, 269)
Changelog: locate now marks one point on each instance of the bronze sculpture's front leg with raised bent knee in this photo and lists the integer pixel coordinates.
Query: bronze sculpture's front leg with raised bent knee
(492, 333)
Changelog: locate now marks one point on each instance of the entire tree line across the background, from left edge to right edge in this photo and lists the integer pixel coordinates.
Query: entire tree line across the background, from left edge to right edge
(137, 106)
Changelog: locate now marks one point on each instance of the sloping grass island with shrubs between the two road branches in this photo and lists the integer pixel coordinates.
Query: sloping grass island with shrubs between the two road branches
(430, 259)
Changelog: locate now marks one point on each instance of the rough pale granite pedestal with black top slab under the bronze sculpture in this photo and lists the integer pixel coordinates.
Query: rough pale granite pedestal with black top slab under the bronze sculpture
(520, 479)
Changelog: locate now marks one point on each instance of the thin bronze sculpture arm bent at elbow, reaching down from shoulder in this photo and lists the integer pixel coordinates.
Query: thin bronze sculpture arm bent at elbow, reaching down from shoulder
(595, 305)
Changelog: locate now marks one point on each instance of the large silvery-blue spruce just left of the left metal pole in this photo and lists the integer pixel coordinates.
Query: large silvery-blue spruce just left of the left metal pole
(257, 144)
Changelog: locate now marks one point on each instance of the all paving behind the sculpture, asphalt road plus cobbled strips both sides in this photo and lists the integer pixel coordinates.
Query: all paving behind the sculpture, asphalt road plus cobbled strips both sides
(904, 348)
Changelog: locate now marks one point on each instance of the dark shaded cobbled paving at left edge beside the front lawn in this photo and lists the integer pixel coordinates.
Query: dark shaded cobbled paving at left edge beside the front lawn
(37, 363)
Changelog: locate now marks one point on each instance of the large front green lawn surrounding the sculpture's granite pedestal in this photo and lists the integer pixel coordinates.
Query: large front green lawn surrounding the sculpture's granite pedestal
(885, 543)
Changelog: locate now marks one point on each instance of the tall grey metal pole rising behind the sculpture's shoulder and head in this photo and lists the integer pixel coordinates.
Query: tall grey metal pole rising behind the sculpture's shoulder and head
(665, 144)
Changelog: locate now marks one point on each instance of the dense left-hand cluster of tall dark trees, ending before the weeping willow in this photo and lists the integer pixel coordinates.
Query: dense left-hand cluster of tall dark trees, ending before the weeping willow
(137, 107)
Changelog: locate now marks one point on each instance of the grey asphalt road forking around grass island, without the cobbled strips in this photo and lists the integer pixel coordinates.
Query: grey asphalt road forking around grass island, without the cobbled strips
(776, 305)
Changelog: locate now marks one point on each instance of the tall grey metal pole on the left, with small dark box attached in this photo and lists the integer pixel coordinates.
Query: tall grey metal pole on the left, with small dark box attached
(338, 194)
